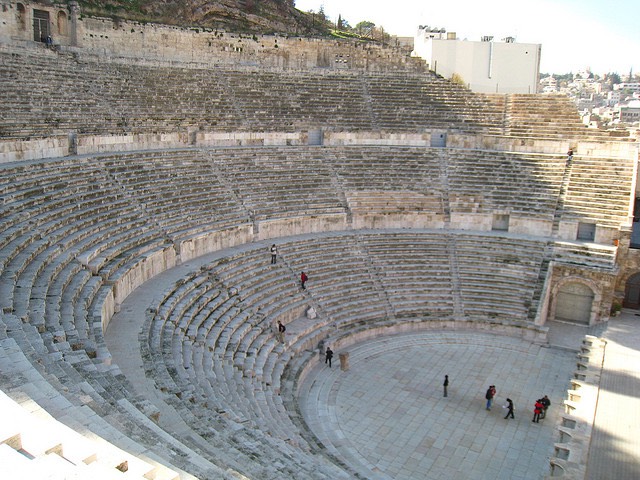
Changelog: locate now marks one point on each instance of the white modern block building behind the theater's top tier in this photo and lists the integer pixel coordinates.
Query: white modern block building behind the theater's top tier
(485, 66)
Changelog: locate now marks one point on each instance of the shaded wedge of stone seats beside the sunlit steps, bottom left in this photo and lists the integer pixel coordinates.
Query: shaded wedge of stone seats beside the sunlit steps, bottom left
(94, 401)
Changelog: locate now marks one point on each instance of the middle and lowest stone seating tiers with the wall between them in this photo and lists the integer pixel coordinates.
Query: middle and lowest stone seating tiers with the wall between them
(79, 234)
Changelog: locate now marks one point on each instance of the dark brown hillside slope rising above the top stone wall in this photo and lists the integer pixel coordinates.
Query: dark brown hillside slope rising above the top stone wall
(259, 16)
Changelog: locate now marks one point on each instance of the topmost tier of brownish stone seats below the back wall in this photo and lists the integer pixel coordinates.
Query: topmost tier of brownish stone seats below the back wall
(88, 96)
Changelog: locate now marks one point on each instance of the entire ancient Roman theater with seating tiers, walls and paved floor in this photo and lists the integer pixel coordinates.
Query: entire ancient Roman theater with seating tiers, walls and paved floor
(148, 169)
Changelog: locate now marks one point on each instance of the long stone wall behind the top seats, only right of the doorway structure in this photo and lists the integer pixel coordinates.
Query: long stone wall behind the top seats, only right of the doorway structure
(153, 42)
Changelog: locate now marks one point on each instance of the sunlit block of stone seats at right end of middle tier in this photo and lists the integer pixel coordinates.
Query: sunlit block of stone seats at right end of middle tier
(599, 190)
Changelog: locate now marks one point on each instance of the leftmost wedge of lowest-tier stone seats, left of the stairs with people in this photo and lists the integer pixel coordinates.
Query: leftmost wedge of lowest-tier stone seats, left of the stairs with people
(213, 391)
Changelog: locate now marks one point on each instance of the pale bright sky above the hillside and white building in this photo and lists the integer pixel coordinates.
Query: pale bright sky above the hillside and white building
(602, 35)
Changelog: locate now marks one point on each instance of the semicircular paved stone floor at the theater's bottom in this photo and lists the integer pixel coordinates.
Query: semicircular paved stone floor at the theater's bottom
(387, 417)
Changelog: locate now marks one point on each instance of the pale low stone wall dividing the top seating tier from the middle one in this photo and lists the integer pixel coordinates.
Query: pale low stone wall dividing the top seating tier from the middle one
(13, 149)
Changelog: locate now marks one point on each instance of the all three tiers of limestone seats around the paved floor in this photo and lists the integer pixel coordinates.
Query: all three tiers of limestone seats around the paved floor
(80, 233)
